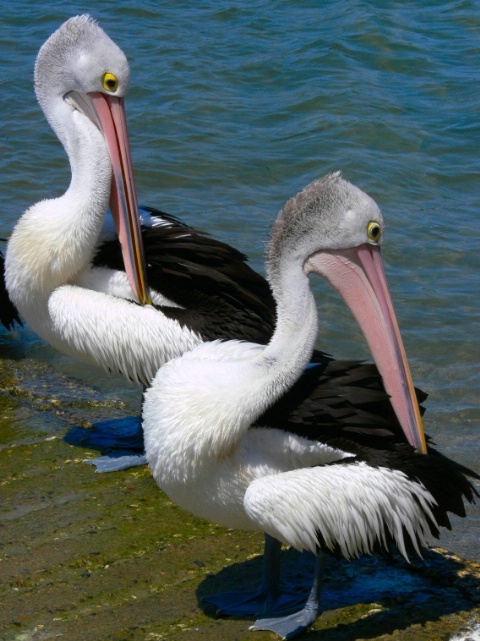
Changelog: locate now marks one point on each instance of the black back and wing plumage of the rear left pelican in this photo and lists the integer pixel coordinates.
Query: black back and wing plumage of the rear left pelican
(202, 283)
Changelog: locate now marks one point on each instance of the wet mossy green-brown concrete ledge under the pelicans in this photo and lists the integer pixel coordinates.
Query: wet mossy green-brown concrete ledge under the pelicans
(109, 557)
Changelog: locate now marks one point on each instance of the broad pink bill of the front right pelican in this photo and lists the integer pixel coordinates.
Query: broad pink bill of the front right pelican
(358, 275)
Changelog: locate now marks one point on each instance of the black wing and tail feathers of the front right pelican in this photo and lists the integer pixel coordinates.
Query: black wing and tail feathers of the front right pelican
(343, 404)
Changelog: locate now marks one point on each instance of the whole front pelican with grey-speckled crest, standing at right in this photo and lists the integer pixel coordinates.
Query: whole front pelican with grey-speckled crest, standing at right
(347, 489)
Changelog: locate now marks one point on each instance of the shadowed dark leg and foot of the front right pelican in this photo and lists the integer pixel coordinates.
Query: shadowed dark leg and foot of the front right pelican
(271, 598)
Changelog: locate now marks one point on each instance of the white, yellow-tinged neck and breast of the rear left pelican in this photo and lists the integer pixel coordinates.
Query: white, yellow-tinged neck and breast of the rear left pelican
(54, 239)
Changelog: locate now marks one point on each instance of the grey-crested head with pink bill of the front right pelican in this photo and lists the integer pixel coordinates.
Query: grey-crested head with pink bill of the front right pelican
(339, 229)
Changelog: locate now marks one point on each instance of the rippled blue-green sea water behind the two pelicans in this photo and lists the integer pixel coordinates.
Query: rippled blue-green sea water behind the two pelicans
(236, 106)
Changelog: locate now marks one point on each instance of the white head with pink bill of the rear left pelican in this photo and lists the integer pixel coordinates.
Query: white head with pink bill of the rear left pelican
(80, 75)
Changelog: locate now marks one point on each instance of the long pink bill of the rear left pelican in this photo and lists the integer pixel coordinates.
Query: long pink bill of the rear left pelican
(123, 200)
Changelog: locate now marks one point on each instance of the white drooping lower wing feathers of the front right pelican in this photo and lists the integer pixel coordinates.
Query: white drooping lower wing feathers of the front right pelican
(352, 506)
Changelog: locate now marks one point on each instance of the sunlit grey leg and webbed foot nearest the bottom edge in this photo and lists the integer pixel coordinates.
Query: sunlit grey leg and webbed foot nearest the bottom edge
(290, 626)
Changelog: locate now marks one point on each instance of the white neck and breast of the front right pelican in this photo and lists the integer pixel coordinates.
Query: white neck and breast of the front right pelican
(201, 405)
